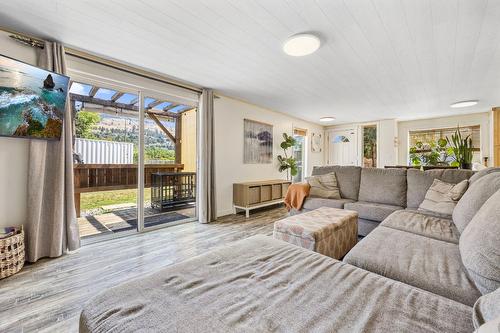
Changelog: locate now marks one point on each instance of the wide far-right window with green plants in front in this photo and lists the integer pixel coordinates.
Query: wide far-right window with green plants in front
(429, 147)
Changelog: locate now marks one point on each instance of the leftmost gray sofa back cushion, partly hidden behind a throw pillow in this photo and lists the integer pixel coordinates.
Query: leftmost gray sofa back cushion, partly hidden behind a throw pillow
(348, 178)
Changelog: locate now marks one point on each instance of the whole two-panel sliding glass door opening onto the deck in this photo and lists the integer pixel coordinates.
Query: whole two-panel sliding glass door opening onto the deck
(135, 159)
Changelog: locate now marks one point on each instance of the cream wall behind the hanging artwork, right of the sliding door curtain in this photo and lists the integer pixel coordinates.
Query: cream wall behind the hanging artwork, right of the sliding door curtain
(229, 116)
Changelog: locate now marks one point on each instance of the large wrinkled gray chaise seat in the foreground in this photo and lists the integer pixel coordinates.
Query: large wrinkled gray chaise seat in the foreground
(264, 285)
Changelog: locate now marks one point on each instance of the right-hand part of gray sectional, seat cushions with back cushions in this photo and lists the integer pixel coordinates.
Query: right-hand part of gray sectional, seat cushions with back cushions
(457, 258)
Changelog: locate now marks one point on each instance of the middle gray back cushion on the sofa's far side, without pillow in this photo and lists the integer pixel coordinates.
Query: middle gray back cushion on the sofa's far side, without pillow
(385, 186)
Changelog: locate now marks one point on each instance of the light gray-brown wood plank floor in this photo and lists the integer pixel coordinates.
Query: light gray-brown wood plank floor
(48, 296)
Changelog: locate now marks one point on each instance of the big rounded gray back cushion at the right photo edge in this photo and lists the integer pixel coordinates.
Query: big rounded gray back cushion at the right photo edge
(480, 245)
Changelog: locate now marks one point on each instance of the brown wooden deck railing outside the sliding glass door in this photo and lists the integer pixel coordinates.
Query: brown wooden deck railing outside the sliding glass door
(109, 177)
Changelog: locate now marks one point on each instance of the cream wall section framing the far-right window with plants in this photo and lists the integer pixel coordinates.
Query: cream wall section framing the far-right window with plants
(482, 119)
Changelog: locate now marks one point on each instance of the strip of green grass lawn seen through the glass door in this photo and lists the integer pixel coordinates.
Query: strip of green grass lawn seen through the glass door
(96, 200)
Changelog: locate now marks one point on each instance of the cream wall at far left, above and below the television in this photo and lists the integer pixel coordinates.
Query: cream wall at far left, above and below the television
(14, 152)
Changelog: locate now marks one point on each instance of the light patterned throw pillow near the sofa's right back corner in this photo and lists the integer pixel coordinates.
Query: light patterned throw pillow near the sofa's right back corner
(442, 197)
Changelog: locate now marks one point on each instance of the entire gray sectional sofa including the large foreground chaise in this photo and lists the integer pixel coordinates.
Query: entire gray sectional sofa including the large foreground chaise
(414, 272)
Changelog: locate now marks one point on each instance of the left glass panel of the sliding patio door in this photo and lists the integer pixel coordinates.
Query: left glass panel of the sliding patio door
(106, 124)
